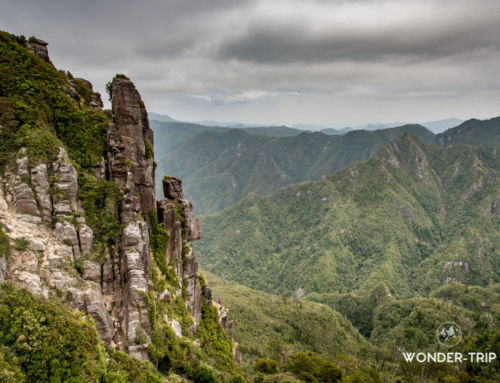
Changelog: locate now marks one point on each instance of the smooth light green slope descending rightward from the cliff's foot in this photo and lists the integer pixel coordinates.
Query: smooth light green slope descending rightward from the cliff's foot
(262, 320)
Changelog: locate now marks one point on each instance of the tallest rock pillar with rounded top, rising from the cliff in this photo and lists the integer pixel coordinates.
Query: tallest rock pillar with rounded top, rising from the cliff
(130, 164)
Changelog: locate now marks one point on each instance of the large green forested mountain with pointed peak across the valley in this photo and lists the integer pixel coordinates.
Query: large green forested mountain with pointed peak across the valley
(415, 217)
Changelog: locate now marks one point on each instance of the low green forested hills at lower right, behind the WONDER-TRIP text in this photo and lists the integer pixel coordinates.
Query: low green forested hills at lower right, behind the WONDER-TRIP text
(270, 330)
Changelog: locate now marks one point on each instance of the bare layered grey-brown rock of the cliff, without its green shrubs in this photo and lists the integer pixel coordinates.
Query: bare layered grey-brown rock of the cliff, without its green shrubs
(53, 246)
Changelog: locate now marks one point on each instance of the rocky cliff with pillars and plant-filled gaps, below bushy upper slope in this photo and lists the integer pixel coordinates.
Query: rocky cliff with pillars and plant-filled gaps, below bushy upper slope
(97, 238)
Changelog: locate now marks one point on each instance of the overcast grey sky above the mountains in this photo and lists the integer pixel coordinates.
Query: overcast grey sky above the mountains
(330, 62)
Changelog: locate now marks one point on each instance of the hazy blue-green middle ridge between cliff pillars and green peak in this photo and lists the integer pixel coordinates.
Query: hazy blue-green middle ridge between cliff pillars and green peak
(219, 169)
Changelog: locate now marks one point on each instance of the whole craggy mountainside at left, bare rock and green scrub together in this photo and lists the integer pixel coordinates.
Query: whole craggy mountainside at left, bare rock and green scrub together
(80, 220)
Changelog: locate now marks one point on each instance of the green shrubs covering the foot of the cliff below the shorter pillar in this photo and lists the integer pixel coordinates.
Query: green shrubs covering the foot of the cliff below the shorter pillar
(209, 362)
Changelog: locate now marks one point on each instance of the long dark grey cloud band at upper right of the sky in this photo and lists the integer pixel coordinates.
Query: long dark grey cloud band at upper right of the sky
(283, 43)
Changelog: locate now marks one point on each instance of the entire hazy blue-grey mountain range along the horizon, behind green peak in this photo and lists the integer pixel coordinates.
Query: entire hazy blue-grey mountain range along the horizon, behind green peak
(220, 166)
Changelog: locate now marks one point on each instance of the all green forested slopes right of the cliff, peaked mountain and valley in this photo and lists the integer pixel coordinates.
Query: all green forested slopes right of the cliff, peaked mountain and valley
(397, 245)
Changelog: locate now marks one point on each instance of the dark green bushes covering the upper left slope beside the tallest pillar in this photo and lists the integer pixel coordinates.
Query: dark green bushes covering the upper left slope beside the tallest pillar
(37, 113)
